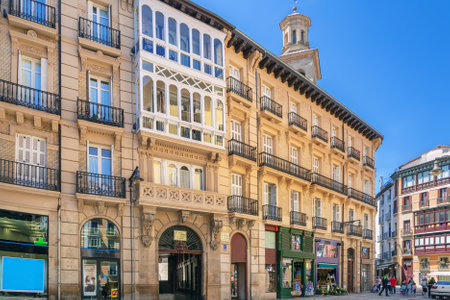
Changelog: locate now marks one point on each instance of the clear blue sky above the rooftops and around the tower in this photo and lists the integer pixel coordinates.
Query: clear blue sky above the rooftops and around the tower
(386, 60)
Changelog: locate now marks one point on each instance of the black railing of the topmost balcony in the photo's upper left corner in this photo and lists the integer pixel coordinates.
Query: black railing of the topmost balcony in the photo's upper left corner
(34, 11)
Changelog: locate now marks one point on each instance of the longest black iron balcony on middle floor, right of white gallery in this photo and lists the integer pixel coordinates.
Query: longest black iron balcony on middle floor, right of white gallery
(274, 162)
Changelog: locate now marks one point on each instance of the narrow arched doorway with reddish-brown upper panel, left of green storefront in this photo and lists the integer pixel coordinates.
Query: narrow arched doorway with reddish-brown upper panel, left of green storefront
(238, 267)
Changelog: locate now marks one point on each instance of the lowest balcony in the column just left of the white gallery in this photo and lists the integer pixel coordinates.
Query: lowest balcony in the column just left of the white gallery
(99, 184)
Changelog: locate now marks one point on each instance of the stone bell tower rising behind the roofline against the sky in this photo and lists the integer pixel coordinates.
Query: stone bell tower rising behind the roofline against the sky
(296, 50)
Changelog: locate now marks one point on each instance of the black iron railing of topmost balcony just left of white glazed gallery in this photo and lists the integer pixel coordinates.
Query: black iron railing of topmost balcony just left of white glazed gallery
(99, 33)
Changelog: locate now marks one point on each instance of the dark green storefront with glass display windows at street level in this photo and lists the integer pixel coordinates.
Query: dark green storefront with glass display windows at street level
(295, 256)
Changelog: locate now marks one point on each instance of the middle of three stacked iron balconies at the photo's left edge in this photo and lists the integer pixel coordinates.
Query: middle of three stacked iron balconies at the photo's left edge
(29, 97)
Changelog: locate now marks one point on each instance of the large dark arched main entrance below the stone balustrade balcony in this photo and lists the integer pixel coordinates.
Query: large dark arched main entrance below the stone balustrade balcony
(180, 264)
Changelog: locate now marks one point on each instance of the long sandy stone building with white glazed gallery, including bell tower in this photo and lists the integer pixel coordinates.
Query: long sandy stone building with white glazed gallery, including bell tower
(150, 147)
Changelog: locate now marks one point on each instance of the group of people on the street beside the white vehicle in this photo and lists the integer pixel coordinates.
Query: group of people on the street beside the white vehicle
(407, 287)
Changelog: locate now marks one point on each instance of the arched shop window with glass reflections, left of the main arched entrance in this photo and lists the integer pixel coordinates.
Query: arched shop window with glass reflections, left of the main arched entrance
(100, 260)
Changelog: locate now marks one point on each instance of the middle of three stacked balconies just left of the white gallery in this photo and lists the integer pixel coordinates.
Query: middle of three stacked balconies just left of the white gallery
(100, 113)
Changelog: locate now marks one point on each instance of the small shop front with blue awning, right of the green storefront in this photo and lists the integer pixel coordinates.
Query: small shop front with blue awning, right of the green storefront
(327, 264)
